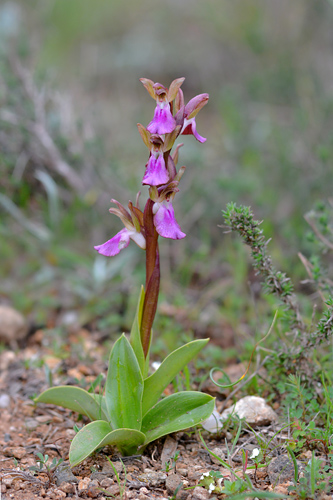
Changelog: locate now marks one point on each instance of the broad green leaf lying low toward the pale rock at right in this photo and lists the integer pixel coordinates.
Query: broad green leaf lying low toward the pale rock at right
(177, 412)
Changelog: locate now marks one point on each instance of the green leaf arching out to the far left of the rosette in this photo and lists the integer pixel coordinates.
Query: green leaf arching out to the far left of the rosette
(76, 399)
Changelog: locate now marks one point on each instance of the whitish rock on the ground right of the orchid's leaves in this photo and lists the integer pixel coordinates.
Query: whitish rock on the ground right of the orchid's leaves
(254, 410)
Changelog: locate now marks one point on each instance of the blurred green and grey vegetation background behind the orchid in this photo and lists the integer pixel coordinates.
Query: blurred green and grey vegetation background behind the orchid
(70, 98)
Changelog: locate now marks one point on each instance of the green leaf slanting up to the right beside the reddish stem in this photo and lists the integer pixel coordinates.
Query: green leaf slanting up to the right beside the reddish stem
(171, 366)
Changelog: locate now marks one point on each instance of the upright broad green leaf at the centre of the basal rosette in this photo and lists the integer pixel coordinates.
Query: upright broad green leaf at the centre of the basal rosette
(124, 387)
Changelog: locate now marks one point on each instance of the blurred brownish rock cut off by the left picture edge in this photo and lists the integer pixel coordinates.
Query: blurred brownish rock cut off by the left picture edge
(13, 326)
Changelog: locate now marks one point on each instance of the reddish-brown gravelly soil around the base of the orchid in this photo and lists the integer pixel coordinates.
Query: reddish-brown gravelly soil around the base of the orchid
(27, 429)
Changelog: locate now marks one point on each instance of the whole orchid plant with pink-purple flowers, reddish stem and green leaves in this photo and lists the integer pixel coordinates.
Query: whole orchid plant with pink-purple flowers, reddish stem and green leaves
(132, 412)
